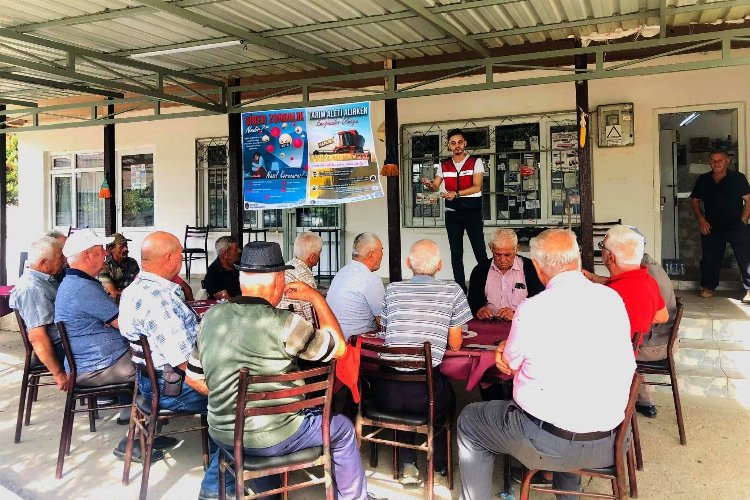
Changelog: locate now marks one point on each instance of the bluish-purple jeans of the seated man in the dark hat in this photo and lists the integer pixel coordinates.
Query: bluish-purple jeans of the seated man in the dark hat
(347, 471)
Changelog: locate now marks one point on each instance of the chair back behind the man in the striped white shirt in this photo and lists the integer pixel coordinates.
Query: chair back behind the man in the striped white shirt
(418, 360)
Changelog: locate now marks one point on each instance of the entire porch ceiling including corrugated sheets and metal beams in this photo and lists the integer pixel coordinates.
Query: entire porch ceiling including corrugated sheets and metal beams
(74, 62)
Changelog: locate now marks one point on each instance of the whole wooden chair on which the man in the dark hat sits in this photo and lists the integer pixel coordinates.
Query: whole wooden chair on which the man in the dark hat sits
(252, 403)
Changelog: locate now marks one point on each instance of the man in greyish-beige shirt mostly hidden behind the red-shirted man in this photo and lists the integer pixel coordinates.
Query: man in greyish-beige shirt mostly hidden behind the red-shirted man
(654, 347)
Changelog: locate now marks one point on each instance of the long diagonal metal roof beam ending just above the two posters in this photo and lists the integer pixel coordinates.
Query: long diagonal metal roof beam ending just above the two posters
(247, 36)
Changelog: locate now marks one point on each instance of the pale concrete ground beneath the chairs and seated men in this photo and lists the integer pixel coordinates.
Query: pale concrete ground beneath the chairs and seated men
(714, 464)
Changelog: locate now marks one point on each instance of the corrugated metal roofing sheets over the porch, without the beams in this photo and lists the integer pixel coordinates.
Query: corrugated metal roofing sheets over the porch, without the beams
(344, 32)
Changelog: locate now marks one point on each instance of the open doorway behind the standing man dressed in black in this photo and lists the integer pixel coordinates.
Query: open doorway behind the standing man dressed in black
(686, 139)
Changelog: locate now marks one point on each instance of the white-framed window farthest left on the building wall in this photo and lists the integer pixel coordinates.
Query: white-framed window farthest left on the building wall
(76, 180)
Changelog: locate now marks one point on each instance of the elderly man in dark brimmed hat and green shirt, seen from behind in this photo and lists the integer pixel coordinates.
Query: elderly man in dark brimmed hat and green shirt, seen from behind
(251, 332)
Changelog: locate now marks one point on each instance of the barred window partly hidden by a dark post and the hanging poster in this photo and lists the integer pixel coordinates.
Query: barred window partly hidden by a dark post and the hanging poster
(212, 196)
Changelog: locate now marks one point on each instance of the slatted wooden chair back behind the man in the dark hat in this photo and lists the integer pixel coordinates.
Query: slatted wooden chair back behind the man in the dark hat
(311, 393)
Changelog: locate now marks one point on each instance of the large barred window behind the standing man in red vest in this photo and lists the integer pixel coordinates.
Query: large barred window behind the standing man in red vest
(530, 163)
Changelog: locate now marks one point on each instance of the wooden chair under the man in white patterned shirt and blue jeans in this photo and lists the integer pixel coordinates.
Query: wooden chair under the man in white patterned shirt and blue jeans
(144, 422)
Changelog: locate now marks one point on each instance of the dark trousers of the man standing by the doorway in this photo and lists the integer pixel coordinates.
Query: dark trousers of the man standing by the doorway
(714, 244)
